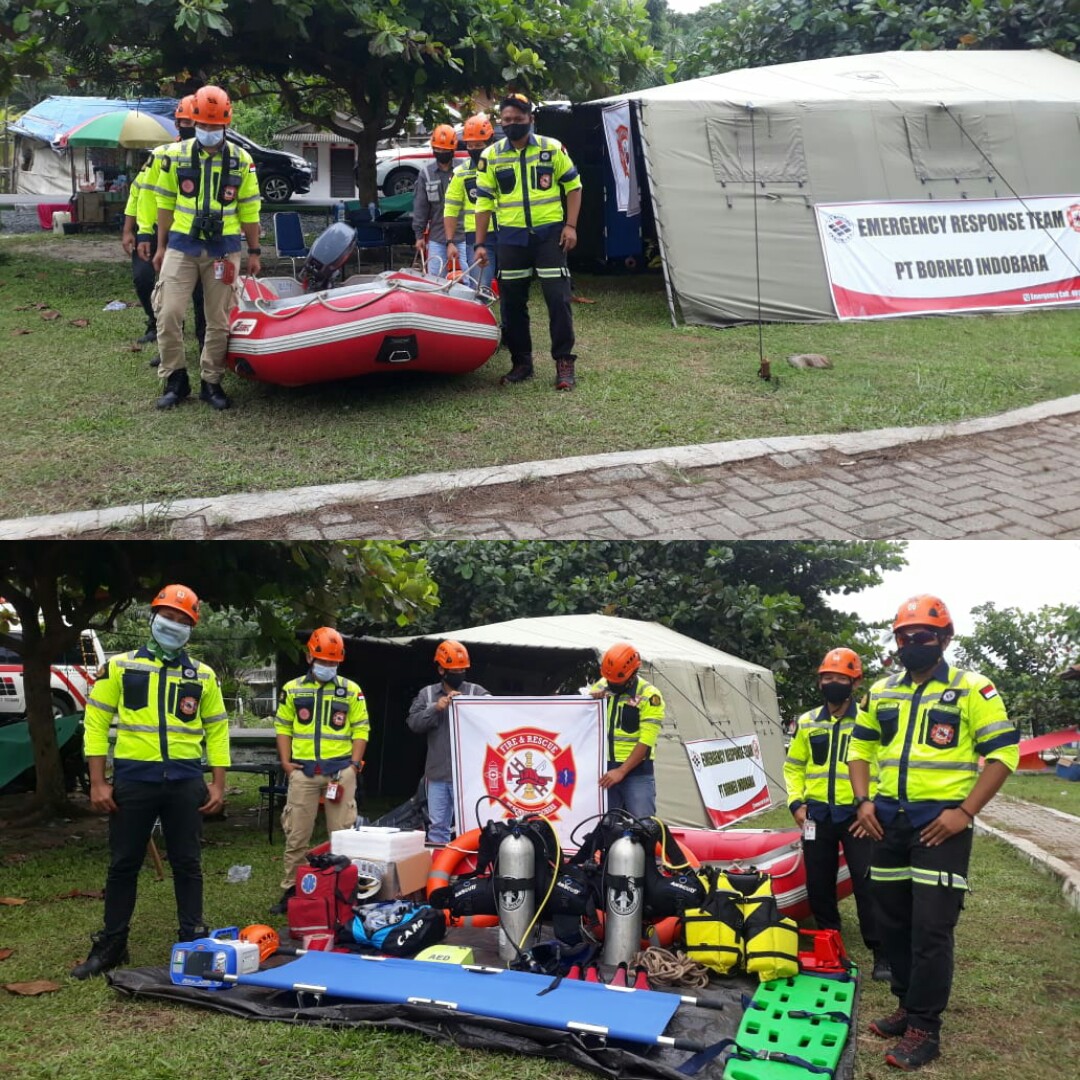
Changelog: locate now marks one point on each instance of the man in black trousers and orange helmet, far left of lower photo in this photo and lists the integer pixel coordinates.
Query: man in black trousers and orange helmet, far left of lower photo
(169, 710)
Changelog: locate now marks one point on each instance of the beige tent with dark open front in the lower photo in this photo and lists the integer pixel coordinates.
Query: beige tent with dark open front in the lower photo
(709, 694)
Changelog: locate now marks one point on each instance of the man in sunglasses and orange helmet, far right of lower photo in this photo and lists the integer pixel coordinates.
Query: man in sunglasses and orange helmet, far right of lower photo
(927, 727)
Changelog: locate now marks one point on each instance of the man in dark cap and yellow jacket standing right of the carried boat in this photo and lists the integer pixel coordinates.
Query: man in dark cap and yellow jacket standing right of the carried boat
(523, 180)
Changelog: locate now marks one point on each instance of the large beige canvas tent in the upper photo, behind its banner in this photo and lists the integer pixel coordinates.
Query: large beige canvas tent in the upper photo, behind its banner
(888, 127)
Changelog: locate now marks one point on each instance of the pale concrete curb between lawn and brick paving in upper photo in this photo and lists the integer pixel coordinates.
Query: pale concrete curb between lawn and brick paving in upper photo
(234, 509)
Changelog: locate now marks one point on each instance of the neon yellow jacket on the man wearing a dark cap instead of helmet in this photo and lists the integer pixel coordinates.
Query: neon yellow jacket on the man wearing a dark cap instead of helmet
(525, 187)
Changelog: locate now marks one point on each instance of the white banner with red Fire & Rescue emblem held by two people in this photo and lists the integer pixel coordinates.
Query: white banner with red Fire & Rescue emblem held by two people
(537, 755)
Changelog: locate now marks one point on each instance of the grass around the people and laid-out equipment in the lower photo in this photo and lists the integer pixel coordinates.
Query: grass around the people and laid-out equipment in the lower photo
(1016, 1010)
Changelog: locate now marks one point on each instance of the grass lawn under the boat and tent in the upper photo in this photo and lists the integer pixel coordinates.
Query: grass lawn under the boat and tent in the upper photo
(80, 428)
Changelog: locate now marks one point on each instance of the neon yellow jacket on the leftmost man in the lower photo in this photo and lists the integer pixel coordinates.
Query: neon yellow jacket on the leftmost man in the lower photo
(164, 710)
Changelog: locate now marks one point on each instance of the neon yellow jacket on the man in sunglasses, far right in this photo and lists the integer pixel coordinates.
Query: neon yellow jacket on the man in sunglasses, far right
(928, 739)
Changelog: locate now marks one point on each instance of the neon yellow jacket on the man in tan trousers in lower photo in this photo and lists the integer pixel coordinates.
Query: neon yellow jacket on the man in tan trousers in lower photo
(322, 720)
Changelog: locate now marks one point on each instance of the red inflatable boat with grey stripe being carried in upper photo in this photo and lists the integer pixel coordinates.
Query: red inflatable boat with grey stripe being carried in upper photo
(279, 333)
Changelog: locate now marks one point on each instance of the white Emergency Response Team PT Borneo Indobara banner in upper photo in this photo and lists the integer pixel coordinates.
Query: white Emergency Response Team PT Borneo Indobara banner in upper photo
(903, 259)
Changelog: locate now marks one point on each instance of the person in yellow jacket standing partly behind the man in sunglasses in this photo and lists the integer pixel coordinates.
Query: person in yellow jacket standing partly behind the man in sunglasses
(823, 806)
